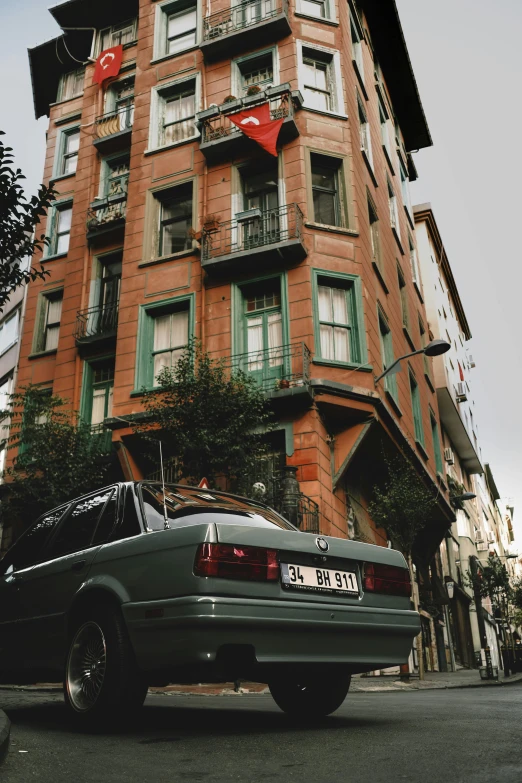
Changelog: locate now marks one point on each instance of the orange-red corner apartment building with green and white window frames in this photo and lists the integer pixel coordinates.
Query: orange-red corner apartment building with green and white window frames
(170, 223)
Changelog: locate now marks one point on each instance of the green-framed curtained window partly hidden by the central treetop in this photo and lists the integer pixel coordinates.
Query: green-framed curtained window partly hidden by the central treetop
(147, 350)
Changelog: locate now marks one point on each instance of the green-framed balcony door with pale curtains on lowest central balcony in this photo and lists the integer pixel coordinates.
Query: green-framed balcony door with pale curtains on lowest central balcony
(263, 332)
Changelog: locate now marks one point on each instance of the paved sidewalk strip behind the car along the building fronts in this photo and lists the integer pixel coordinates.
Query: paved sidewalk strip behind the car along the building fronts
(464, 678)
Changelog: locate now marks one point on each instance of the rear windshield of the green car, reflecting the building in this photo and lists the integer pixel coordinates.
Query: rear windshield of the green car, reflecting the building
(182, 513)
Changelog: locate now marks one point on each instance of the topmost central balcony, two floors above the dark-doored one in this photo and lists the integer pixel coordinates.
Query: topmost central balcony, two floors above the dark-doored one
(247, 25)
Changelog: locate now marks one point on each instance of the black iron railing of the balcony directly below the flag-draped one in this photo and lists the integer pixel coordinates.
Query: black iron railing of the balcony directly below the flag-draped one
(253, 229)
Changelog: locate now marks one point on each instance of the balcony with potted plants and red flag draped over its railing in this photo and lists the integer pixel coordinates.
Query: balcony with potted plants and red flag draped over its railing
(220, 139)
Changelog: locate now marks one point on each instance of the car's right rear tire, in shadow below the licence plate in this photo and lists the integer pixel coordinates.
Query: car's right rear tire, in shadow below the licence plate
(312, 695)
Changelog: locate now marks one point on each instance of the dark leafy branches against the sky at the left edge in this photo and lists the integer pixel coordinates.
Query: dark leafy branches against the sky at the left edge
(18, 220)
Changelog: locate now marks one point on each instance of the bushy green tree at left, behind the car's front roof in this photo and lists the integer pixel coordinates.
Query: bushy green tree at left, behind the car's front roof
(58, 456)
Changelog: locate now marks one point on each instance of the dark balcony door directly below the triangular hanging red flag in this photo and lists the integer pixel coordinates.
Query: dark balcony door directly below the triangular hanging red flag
(261, 191)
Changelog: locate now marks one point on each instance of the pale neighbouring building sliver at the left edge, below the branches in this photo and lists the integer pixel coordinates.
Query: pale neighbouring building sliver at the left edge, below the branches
(11, 324)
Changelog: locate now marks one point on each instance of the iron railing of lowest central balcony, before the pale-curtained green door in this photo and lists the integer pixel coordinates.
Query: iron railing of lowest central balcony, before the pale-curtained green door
(283, 367)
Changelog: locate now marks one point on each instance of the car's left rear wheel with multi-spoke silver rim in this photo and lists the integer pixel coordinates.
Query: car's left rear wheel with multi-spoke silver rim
(102, 681)
